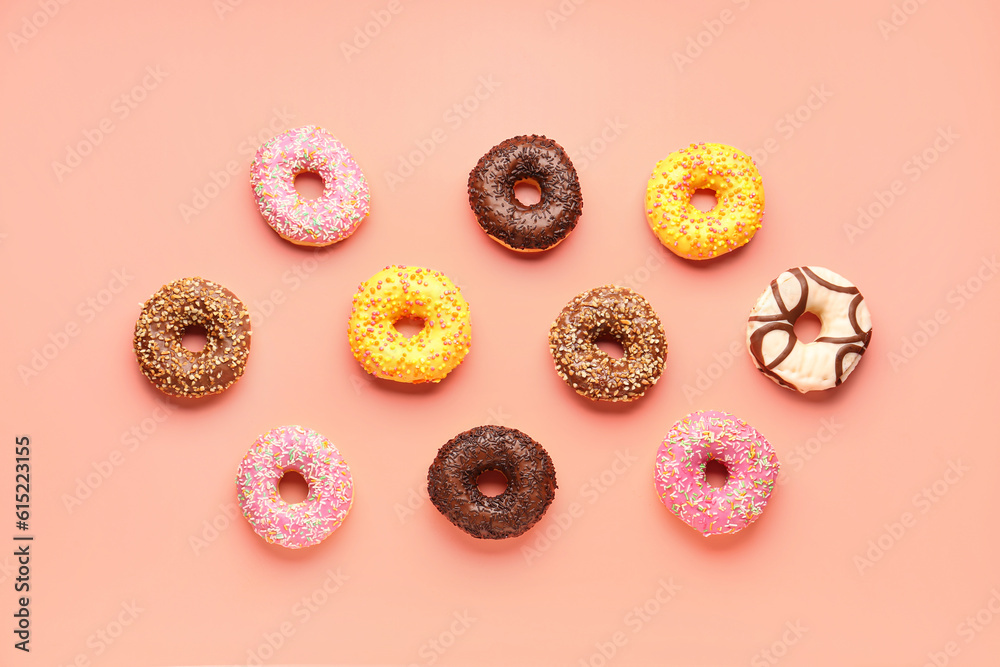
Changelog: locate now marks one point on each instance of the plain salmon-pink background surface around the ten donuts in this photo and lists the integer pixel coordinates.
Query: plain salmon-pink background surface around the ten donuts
(850, 563)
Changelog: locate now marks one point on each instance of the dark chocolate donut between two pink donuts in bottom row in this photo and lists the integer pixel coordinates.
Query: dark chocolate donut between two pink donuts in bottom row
(531, 482)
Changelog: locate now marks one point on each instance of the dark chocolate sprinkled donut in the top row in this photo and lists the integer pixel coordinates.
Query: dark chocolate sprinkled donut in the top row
(522, 227)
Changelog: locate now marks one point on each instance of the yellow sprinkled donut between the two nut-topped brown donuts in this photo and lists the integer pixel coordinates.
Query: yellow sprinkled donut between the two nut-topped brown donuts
(398, 292)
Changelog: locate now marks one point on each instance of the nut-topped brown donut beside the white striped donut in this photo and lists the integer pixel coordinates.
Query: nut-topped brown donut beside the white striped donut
(608, 312)
